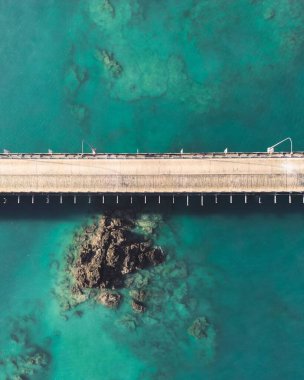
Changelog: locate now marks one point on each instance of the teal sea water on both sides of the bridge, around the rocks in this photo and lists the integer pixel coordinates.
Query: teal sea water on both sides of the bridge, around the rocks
(199, 75)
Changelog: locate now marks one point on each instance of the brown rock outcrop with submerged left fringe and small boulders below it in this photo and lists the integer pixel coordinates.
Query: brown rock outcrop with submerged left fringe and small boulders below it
(102, 257)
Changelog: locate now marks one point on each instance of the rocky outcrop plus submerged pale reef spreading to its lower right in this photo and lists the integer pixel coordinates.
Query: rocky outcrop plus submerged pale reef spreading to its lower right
(114, 262)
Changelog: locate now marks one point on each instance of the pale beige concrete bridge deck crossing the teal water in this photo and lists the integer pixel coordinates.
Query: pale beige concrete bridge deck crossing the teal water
(151, 173)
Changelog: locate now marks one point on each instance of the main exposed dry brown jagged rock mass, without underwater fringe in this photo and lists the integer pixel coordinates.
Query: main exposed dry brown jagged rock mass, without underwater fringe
(110, 250)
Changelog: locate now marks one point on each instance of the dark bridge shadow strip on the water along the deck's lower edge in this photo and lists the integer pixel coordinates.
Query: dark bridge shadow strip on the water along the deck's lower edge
(50, 207)
